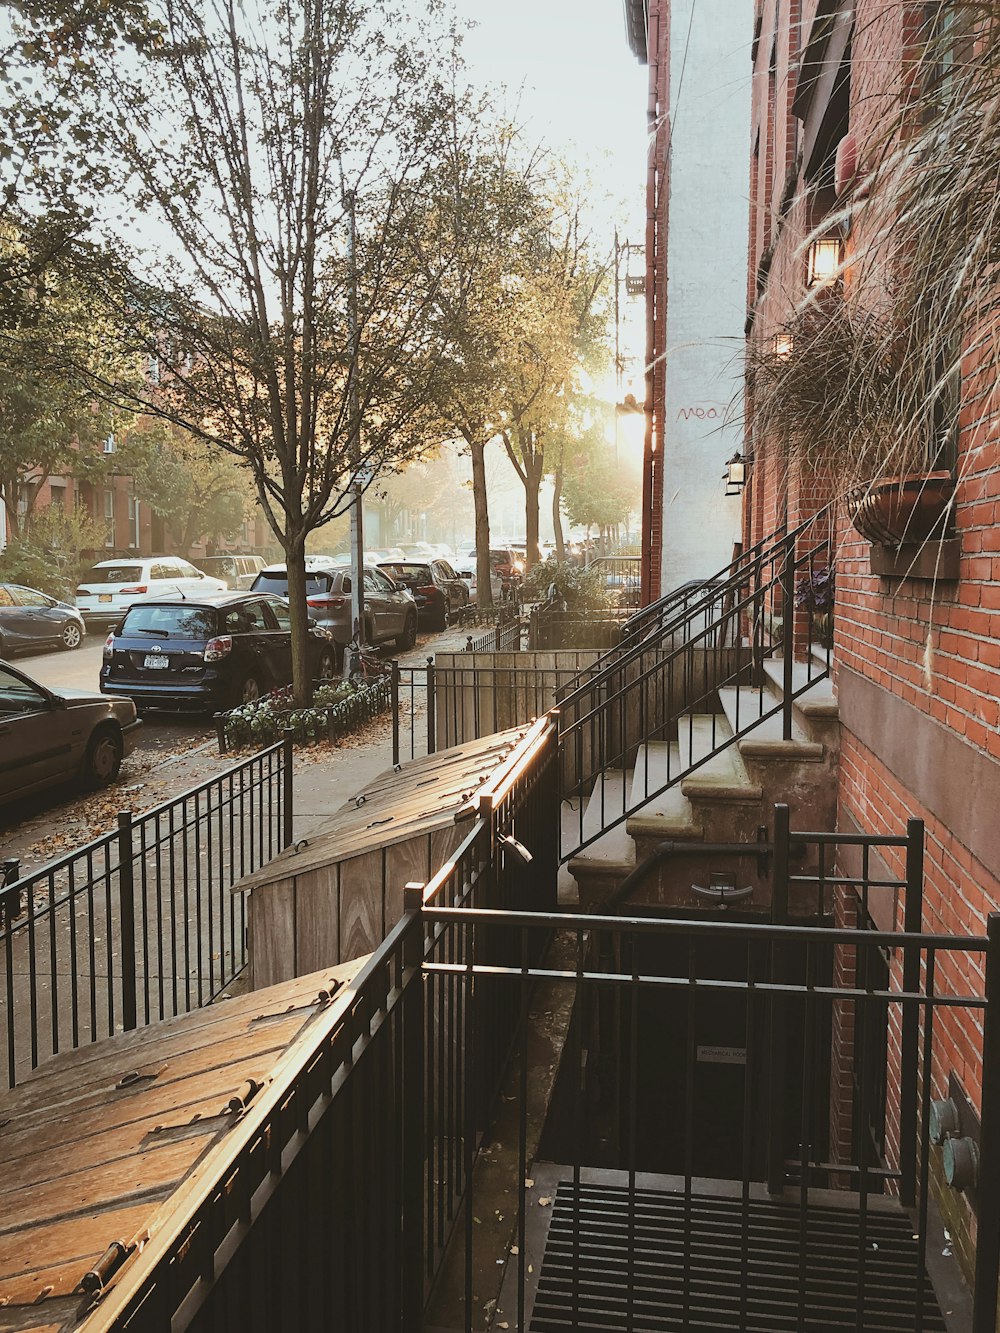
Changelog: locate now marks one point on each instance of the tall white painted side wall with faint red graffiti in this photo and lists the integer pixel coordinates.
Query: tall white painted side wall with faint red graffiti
(707, 249)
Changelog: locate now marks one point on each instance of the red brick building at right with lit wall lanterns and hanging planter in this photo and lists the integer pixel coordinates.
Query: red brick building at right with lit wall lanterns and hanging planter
(917, 625)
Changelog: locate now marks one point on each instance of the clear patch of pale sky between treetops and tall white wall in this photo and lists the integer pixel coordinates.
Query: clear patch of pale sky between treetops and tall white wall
(581, 87)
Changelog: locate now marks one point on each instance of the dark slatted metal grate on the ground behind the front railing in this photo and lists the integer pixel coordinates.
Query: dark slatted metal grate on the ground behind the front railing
(722, 1263)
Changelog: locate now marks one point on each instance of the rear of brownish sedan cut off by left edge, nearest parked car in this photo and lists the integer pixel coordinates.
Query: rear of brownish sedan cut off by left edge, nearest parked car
(51, 736)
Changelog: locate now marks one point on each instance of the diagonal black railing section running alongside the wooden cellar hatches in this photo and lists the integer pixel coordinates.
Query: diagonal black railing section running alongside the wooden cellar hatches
(349, 1172)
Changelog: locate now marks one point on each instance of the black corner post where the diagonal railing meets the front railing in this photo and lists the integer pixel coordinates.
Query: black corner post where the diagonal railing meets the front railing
(414, 1111)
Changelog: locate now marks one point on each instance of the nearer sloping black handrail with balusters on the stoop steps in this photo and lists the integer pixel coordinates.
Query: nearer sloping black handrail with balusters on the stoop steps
(653, 692)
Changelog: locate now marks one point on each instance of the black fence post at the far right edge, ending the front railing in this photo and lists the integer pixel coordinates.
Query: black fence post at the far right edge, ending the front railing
(985, 1300)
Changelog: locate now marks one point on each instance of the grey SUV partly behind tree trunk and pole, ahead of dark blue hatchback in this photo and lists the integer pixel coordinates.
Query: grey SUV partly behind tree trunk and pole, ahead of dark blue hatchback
(390, 611)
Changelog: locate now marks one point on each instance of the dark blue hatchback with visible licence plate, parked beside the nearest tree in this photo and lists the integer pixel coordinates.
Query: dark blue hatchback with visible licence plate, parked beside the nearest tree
(207, 654)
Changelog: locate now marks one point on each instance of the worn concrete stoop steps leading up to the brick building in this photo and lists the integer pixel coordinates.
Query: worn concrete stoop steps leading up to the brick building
(719, 794)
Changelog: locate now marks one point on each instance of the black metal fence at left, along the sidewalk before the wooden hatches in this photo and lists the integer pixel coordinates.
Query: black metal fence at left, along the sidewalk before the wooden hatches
(139, 924)
